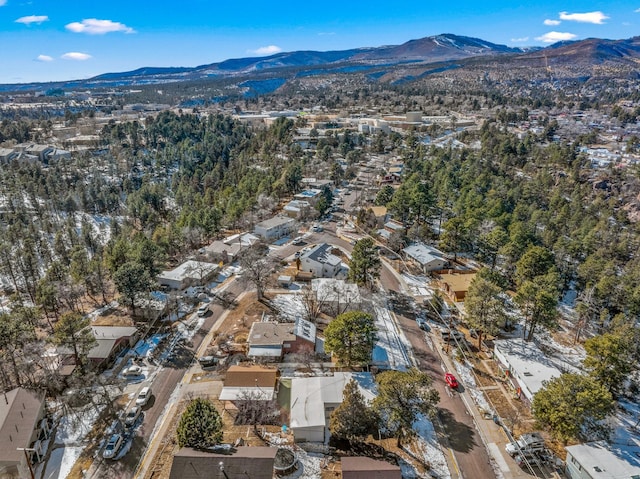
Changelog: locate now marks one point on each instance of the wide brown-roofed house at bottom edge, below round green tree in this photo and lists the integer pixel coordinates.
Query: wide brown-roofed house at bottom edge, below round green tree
(255, 462)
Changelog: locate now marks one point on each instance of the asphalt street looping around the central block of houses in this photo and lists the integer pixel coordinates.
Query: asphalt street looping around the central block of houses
(457, 425)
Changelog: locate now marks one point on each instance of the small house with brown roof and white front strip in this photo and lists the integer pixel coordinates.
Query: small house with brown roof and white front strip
(249, 381)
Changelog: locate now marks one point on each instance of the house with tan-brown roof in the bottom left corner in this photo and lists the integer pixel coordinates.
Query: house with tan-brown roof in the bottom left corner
(21, 426)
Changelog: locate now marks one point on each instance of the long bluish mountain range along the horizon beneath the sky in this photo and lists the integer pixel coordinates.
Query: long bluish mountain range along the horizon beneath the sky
(443, 50)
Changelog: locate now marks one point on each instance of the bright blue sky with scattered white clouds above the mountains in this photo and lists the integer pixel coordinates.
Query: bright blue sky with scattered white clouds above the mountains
(49, 40)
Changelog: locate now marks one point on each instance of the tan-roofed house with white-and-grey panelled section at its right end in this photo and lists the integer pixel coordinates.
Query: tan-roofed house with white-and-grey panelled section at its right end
(269, 340)
